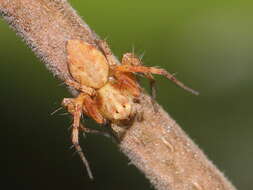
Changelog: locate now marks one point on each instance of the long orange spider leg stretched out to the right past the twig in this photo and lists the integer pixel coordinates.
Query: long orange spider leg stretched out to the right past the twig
(153, 70)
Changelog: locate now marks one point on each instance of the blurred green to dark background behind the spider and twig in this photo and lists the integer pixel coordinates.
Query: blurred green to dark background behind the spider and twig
(208, 44)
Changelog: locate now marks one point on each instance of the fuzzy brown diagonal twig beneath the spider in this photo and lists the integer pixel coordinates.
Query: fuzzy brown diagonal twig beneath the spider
(156, 145)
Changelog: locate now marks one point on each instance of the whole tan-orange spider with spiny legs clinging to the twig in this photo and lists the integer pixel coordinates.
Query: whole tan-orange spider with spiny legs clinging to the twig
(107, 90)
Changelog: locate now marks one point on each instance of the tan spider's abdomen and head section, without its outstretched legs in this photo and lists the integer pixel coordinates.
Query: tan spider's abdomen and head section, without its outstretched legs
(103, 95)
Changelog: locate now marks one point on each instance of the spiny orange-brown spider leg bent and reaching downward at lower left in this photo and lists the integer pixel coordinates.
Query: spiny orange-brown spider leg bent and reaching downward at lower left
(74, 106)
